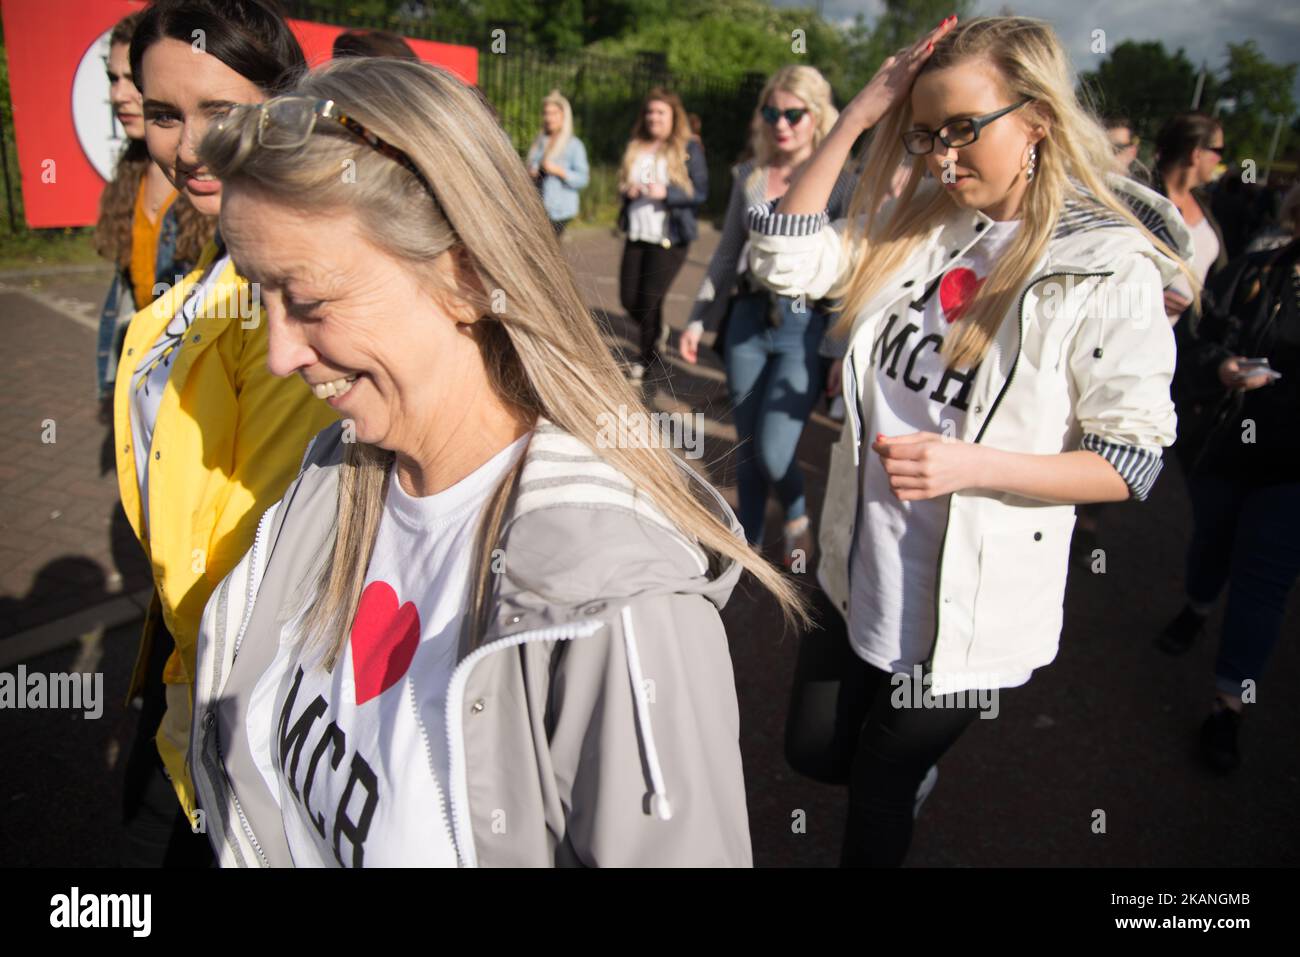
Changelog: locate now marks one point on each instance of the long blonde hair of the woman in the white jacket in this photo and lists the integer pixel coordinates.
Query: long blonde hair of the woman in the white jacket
(1073, 161)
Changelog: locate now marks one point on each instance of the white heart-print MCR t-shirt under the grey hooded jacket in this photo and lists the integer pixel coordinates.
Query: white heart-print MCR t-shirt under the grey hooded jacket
(358, 759)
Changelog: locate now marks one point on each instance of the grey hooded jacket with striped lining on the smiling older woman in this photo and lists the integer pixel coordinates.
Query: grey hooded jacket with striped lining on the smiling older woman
(595, 725)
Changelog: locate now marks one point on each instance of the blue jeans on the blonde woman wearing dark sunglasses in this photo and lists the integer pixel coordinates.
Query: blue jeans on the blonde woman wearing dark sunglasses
(774, 378)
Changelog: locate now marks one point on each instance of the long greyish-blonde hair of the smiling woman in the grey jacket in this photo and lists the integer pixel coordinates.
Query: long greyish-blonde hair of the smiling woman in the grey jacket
(543, 353)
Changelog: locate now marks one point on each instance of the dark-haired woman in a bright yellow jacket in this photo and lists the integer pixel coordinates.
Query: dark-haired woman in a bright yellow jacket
(207, 439)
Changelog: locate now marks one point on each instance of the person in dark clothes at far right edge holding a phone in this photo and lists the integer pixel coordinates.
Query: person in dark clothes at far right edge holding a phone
(1241, 451)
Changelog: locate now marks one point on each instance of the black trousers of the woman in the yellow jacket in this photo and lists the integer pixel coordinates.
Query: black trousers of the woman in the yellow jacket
(155, 832)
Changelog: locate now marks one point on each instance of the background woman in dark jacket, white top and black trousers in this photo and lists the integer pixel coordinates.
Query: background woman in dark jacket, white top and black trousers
(664, 183)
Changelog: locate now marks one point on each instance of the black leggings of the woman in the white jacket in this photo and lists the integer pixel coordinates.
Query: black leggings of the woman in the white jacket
(843, 729)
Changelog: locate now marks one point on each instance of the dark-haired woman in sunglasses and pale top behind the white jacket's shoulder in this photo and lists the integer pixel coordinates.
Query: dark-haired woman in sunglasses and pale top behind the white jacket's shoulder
(1188, 151)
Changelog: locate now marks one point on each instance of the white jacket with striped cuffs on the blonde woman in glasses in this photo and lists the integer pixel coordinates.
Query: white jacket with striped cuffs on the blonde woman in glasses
(1085, 363)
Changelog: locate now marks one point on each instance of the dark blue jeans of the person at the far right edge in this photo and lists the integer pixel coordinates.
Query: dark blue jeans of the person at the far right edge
(1247, 538)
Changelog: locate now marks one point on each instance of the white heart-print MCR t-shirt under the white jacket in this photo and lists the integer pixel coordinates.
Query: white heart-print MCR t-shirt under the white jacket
(895, 557)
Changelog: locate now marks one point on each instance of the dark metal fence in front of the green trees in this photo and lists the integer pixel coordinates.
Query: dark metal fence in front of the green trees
(606, 94)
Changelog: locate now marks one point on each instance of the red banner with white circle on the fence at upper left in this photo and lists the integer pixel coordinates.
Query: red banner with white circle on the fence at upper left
(68, 138)
